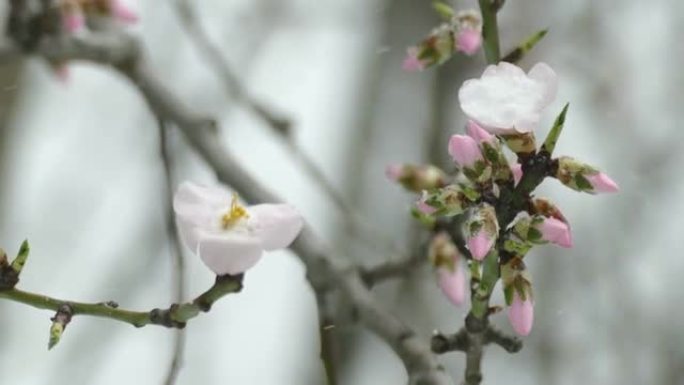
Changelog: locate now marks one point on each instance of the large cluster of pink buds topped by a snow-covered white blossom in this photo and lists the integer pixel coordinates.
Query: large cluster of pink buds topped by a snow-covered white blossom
(490, 197)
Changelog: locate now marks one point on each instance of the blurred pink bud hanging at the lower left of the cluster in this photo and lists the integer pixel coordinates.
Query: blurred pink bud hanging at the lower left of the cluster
(445, 257)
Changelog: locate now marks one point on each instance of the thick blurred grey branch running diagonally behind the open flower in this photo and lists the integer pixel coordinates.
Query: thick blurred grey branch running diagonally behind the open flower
(123, 53)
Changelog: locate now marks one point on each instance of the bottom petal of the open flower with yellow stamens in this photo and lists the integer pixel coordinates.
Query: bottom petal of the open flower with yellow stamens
(229, 253)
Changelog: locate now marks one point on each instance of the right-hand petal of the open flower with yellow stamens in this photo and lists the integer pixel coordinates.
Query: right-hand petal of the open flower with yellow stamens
(277, 225)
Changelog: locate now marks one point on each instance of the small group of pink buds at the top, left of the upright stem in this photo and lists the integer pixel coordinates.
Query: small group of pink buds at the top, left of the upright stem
(461, 32)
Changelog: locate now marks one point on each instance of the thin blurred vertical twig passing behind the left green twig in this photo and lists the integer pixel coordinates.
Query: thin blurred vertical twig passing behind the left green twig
(176, 251)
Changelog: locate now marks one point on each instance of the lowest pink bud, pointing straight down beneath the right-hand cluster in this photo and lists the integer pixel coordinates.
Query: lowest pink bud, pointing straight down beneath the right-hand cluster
(518, 294)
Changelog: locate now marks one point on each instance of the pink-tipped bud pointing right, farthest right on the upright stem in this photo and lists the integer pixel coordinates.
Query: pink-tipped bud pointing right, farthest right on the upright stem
(583, 177)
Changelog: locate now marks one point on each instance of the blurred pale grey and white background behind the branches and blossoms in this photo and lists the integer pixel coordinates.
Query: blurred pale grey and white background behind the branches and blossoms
(82, 178)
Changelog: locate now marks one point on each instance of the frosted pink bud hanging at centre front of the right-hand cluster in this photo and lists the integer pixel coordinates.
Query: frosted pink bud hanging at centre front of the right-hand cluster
(481, 230)
